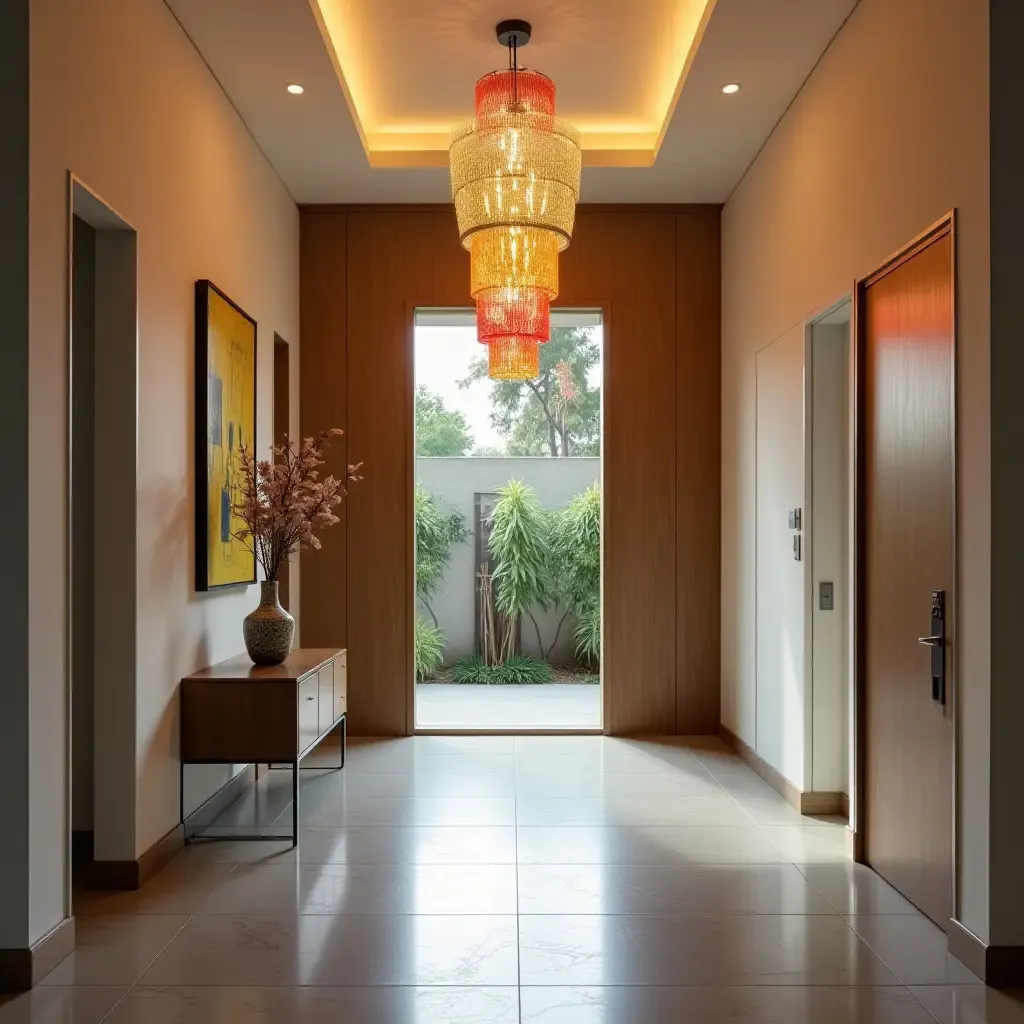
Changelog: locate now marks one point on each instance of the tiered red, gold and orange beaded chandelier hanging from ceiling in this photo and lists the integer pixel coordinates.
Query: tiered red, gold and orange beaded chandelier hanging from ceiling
(516, 182)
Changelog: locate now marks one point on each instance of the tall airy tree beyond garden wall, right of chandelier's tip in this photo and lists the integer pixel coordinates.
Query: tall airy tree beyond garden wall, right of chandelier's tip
(560, 413)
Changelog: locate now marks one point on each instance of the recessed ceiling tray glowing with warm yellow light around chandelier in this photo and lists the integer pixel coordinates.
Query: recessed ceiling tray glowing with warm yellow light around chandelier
(408, 70)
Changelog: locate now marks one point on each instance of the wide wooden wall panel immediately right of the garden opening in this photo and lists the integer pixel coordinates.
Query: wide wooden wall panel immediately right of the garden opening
(626, 263)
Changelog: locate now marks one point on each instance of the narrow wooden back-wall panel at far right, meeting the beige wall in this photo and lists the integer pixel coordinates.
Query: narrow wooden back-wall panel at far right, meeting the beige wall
(699, 460)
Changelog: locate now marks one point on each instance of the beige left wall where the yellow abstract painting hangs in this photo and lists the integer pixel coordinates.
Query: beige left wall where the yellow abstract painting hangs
(120, 97)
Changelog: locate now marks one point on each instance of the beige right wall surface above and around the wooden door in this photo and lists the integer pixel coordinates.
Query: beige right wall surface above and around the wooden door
(890, 133)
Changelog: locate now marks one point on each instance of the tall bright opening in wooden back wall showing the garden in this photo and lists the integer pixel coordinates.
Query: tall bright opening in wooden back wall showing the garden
(507, 521)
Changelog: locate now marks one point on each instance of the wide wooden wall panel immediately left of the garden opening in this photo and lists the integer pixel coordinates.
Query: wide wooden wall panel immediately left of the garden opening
(398, 262)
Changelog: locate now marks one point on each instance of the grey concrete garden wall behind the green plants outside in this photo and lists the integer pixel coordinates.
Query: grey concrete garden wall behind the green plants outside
(456, 482)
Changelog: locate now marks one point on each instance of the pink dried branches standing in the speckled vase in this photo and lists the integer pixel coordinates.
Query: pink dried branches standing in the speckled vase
(284, 503)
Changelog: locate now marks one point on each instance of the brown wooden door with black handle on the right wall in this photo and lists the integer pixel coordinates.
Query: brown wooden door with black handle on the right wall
(907, 328)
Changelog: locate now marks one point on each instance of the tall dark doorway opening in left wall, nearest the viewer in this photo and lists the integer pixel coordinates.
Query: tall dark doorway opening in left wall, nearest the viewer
(103, 516)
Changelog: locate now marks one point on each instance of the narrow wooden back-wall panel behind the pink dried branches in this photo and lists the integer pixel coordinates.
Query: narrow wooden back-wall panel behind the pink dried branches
(323, 405)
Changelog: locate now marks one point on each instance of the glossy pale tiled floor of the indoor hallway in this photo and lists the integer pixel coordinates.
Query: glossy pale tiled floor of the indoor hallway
(505, 880)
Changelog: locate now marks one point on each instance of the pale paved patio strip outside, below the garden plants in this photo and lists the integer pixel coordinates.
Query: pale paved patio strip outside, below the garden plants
(552, 706)
